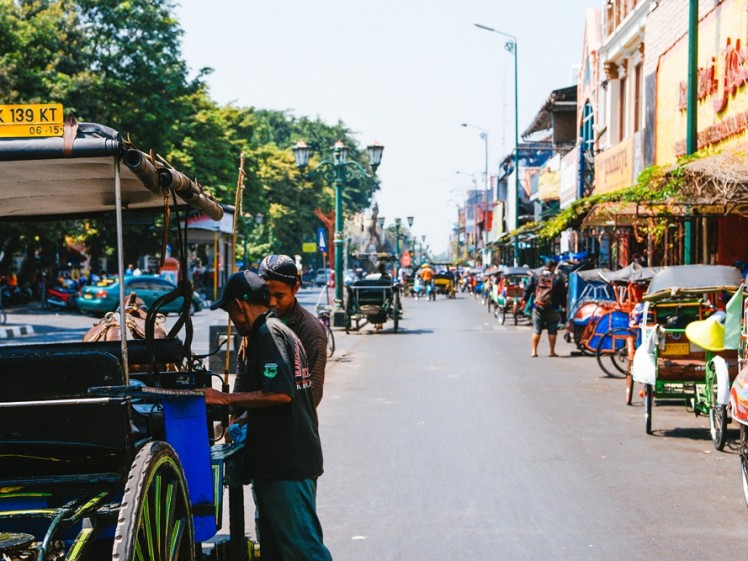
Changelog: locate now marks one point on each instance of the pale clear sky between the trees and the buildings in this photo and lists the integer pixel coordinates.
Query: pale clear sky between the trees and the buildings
(404, 72)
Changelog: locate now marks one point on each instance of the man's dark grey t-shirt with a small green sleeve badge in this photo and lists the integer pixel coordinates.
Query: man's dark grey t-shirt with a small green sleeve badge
(282, 440)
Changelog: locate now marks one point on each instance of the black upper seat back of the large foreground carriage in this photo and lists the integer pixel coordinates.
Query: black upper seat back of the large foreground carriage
(40, 376)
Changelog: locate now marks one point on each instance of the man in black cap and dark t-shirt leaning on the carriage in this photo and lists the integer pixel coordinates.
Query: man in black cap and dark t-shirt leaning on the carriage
(283, 455)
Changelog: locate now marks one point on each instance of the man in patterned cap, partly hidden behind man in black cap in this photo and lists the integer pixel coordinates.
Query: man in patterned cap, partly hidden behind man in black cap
(283, 280)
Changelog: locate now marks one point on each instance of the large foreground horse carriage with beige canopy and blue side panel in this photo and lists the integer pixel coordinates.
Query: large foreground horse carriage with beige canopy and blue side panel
(99, 461)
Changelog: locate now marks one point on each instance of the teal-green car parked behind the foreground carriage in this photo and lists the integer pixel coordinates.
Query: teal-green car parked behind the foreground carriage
(99, 300)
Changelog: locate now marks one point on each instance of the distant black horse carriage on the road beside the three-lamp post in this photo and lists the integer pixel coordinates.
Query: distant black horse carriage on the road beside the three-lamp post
(375, 298)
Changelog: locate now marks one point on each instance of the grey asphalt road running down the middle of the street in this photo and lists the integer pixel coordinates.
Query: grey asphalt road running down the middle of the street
(447, 441)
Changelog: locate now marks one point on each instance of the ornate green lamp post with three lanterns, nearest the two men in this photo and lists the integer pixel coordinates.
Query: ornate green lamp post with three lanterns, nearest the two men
(339, 171)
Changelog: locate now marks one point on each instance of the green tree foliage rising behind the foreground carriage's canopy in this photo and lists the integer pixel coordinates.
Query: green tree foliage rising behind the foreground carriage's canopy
(119, 63)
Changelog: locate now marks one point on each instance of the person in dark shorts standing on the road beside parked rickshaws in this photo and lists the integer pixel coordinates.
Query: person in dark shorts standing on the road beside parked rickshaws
(549, 292)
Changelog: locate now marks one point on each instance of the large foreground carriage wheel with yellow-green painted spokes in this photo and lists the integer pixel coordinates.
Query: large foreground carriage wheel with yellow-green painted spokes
(155, 519)
